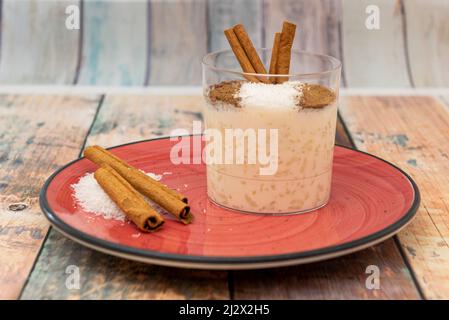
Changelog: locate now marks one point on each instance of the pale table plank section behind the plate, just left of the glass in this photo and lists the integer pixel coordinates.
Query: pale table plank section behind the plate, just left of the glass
(127, 118)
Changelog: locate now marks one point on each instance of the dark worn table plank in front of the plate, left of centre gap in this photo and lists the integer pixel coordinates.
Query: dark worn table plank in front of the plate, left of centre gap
(105, 277)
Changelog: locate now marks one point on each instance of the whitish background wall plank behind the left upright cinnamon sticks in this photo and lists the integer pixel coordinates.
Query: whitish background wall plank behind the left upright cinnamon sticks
(224, 14)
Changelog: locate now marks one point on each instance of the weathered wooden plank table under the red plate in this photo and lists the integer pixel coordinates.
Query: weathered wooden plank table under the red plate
(42, 131)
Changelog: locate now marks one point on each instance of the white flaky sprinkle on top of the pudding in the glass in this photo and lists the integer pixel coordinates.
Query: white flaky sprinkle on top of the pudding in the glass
(263, 95)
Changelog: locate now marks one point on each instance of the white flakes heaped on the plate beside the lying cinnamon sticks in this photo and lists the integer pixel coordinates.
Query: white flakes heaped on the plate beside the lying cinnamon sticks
(92, 198)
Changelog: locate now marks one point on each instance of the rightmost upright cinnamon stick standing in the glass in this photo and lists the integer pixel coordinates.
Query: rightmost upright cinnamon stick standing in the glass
(285, 47)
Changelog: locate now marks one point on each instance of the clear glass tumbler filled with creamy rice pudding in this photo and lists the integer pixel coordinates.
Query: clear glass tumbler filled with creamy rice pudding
(270, 142)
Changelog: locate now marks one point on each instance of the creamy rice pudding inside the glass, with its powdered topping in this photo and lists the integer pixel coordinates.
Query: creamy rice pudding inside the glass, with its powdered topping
(305, 117)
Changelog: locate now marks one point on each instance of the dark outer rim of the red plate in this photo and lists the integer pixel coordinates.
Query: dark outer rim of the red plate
(215, 262)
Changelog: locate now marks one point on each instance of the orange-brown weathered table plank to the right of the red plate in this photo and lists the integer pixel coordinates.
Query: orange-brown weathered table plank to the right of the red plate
(412, 132)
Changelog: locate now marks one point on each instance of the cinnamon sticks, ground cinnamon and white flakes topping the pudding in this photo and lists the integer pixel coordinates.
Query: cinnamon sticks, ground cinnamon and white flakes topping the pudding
(257, 87)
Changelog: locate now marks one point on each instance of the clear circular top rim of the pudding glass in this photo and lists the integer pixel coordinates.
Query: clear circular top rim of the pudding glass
(336, 64)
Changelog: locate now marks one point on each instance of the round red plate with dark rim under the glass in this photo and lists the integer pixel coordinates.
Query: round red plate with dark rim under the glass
(371, 200)
